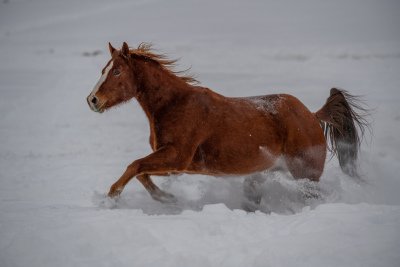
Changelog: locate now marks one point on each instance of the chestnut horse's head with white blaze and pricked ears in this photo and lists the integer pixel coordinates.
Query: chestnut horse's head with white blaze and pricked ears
(116, 84)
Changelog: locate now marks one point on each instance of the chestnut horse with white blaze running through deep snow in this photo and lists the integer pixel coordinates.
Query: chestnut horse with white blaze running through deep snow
(197, 131)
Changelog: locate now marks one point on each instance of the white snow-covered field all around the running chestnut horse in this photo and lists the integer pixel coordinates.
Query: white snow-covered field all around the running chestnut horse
(58, 158)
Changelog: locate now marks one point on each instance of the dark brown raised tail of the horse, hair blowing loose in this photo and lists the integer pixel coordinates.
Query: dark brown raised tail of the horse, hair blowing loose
(344, 123)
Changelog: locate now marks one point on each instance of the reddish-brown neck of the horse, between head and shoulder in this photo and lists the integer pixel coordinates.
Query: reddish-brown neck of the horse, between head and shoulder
(158, 89)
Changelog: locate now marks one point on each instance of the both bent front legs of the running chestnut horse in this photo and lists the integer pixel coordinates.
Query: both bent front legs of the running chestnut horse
(164, 160)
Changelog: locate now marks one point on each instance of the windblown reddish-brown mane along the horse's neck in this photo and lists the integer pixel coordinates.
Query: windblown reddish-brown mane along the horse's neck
(145, 50)
